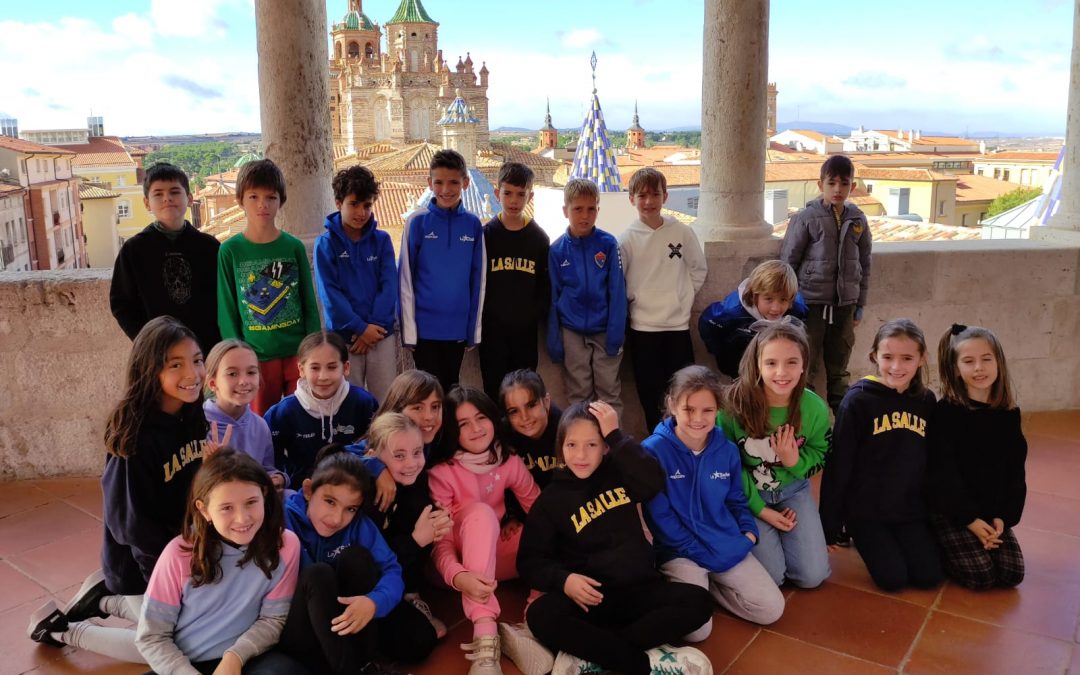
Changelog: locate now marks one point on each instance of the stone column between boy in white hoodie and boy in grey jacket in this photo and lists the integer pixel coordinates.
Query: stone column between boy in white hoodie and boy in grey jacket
(734, 105)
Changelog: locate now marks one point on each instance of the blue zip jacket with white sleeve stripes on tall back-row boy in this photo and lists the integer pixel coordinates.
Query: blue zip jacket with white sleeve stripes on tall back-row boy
(442, 276)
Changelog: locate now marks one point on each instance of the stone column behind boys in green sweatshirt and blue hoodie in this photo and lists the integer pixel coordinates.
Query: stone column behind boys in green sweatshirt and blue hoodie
(294, 94)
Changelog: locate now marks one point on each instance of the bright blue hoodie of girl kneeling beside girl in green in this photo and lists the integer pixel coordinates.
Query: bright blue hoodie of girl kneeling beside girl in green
(703, 515)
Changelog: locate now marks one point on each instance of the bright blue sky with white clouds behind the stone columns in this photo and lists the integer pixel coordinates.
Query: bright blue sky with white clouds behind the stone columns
(165, 67)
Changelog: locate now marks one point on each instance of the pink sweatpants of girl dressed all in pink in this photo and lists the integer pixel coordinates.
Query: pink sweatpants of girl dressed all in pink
(484, 553)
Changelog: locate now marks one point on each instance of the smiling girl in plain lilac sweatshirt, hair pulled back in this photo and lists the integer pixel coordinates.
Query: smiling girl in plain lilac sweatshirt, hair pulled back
(233, 376)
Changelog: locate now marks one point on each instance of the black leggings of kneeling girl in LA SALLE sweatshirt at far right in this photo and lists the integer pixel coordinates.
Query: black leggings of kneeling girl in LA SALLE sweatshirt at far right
(899, 555)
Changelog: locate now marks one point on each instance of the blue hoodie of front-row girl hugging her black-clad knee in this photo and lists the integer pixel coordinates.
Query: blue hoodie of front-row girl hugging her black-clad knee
(360, 533)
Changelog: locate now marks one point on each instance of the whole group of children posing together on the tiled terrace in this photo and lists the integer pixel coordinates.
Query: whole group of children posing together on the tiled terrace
(259, 534)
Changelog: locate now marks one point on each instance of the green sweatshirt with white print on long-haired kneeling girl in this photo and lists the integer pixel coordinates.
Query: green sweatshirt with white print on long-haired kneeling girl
(762, 470)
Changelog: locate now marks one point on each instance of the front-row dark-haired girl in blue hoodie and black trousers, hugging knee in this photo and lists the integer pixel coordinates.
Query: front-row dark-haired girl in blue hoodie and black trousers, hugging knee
(347, 609)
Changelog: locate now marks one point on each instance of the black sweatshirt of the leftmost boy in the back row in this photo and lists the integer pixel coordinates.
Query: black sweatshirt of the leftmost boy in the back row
(154, 277)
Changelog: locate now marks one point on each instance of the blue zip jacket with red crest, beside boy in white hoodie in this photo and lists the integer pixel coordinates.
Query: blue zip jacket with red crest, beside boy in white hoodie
(588, 291)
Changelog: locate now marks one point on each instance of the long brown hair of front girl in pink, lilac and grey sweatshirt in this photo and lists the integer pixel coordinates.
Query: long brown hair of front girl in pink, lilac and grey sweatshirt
(205, 543)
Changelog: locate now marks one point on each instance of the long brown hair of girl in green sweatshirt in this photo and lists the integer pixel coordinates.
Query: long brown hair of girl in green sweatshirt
(746, 398)
